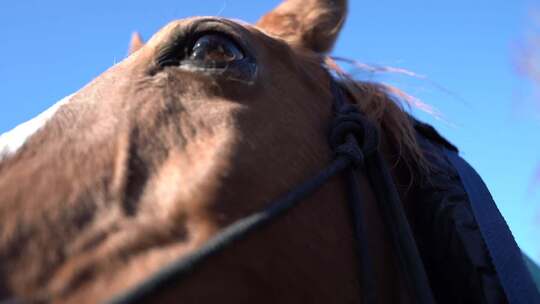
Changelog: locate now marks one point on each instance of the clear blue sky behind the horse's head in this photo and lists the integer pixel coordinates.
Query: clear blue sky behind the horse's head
(50, 49)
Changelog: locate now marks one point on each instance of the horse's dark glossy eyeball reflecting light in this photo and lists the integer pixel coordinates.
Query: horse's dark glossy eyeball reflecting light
(215, 50)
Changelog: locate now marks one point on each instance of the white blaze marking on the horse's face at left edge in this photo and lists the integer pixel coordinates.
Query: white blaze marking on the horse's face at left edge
(12, 141)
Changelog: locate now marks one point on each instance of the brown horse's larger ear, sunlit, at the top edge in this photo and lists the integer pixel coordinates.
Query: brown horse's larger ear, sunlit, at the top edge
(313, 24)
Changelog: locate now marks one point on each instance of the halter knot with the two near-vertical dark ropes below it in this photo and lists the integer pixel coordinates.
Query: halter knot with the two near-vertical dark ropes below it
(348, 128)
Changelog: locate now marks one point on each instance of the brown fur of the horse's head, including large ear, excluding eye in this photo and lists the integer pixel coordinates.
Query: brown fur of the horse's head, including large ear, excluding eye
(143, 166)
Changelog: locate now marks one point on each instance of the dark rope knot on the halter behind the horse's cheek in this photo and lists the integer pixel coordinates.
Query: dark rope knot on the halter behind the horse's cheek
(351, 135)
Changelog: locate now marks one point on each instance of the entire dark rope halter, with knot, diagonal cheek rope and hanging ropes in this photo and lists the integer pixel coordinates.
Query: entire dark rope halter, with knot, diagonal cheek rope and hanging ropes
(355, 143)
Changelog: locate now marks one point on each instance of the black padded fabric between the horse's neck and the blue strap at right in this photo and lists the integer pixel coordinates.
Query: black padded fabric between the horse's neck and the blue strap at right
(455, 256)
